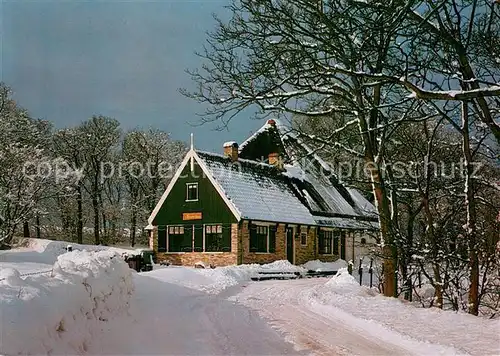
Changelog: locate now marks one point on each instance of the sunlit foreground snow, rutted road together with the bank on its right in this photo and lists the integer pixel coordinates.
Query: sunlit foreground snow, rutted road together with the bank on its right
(338, 316)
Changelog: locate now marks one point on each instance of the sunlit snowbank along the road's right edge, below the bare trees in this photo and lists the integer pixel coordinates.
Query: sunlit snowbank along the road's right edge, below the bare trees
(374, 314)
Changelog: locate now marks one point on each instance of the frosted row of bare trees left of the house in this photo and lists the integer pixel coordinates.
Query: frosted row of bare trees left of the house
(90, 183)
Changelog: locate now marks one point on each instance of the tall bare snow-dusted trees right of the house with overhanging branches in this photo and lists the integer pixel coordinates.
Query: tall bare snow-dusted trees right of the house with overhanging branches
(383, 82)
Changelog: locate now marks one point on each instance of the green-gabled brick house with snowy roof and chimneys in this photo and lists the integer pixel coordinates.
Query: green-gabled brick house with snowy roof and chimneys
(270, 198)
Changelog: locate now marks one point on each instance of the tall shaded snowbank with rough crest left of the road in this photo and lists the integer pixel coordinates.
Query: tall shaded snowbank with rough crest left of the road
(65, 310)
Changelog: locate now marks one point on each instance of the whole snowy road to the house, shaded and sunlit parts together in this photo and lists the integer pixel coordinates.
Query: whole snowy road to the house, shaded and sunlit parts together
(256, 318)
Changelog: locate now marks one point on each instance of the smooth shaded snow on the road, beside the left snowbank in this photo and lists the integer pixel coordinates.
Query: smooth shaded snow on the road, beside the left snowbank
(174, 320)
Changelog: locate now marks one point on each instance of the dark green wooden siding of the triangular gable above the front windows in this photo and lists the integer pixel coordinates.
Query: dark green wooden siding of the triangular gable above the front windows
(213, 208)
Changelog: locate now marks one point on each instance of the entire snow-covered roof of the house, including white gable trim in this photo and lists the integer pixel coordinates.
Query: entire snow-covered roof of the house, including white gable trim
(304, 191)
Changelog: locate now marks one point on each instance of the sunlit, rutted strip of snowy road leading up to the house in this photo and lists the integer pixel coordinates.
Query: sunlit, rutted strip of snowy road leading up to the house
(321, 332)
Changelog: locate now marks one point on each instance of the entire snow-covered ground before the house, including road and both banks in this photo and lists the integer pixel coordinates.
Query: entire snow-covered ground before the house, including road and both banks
(91, 303)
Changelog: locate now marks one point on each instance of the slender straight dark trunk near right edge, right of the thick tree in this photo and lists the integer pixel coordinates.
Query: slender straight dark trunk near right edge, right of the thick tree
(471, 216)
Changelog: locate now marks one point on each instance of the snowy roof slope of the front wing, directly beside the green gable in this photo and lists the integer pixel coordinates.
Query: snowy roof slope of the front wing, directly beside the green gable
(259, 191)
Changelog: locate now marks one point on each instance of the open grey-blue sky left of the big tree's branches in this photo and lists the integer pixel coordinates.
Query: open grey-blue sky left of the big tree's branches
(69, 60)
